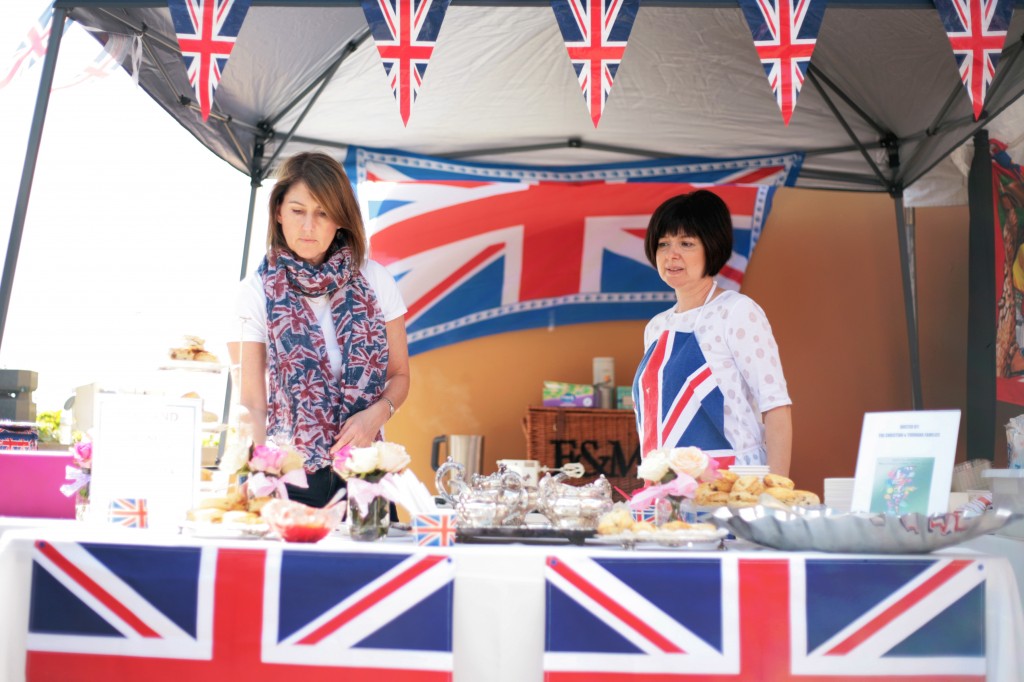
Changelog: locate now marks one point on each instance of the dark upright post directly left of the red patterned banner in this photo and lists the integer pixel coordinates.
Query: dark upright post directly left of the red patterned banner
(982, 320)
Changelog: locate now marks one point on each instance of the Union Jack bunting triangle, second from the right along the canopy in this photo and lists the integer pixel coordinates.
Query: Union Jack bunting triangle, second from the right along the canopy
(785, 34)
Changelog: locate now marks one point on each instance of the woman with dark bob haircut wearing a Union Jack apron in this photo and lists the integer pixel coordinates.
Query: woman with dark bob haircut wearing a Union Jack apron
(711, 376)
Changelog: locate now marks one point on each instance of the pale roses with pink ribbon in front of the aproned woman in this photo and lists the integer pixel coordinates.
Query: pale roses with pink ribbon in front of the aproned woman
(671, 476)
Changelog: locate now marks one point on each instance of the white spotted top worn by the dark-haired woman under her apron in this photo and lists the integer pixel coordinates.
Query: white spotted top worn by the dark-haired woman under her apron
(739, 346)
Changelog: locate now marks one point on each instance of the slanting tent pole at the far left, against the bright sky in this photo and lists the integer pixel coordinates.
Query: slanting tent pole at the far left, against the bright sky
(29, 170)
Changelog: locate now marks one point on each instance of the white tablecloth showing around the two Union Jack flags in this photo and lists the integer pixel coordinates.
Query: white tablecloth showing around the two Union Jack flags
(499, 609)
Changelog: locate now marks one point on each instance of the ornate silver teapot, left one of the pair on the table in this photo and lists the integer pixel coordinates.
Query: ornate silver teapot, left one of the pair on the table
(484, 502)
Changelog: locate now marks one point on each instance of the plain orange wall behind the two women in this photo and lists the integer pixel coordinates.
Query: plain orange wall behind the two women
(827, 273)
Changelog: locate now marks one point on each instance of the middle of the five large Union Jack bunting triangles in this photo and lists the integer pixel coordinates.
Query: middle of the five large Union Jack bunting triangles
(595, 33)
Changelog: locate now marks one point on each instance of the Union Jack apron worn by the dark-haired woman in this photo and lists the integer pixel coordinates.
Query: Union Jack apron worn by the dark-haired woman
(677, 401)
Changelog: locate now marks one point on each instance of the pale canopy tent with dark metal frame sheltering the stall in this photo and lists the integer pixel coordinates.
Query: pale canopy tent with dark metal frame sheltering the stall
(883, 104)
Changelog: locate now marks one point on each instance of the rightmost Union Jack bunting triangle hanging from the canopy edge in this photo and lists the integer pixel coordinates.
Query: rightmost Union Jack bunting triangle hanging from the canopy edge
(977, 31)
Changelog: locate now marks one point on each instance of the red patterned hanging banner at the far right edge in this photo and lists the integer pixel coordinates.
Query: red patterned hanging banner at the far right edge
(1008, 193)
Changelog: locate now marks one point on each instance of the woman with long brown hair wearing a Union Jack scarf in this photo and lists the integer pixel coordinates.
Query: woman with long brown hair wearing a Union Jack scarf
(323, 351)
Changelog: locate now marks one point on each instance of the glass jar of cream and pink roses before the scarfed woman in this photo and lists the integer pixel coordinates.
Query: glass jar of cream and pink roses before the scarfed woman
(369, 475)
